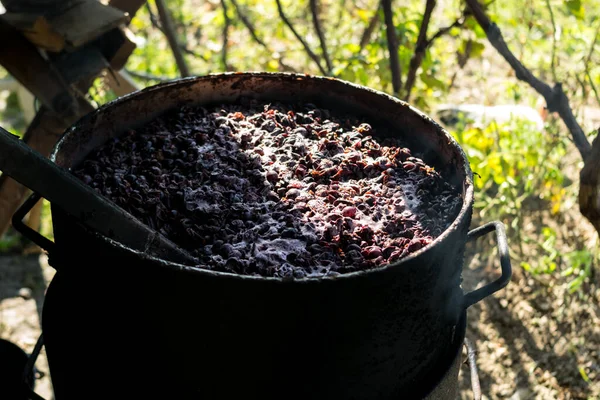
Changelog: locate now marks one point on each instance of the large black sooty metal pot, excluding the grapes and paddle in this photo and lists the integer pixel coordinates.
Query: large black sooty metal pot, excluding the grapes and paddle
(377, 334)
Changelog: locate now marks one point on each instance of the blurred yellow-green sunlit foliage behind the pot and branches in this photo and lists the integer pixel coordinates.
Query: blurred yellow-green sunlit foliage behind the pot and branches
(525, 176)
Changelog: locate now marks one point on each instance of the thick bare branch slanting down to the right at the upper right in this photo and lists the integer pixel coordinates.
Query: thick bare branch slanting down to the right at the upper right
(555, 97)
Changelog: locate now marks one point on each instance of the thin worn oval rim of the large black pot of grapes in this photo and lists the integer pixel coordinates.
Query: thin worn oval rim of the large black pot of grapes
(467, 201)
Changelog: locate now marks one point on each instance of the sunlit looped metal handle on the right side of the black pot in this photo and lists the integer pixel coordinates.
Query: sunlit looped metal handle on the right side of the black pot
(491, 288)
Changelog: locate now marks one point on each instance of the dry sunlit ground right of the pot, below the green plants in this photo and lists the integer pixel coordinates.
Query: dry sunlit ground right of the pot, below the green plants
(533, 338)
